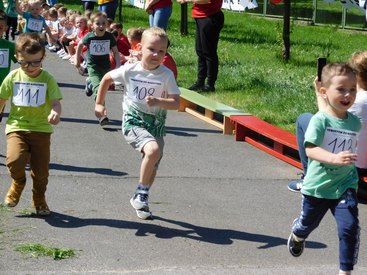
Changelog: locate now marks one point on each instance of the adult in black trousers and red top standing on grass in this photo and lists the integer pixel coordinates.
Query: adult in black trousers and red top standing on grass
(209, 20)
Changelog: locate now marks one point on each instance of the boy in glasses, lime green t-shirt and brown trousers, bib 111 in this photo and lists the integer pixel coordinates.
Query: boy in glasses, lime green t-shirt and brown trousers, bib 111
(35, 107)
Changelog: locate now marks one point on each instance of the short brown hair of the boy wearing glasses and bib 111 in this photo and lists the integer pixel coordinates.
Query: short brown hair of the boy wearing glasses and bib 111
(29, 43)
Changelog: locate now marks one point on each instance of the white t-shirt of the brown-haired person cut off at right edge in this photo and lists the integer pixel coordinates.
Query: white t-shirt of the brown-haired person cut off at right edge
(359, 108)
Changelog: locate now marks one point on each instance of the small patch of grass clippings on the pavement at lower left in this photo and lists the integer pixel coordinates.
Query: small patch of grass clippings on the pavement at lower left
(37, 250)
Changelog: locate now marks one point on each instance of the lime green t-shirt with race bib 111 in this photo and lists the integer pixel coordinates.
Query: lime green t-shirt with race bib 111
(30, 101)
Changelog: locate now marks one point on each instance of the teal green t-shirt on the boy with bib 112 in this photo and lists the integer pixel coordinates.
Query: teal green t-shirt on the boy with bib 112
(334, 135)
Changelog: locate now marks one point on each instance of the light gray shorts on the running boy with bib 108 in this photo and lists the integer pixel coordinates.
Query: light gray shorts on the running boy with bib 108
(137, 137)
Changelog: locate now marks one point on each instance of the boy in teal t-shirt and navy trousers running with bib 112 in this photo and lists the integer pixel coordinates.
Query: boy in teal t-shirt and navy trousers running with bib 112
(331, 180)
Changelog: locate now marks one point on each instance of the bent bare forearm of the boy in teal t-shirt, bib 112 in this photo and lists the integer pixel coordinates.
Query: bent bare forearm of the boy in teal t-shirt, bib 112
(321, 155)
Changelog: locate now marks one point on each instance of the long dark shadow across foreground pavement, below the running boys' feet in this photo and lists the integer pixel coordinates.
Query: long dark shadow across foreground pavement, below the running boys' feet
(189, 231)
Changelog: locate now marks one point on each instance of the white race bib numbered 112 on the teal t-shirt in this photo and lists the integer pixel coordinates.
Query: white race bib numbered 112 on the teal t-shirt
(338, 140)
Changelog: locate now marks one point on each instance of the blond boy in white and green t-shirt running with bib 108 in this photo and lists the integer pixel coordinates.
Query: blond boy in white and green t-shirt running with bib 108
(150, 90)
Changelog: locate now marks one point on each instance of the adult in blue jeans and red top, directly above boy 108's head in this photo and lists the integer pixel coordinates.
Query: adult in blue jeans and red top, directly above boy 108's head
(159, 12)
